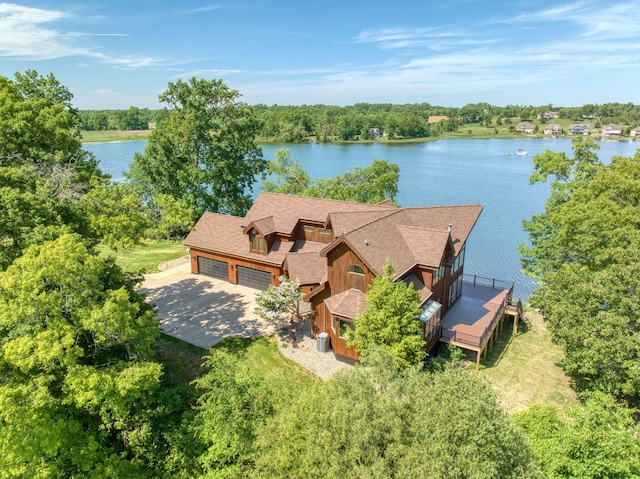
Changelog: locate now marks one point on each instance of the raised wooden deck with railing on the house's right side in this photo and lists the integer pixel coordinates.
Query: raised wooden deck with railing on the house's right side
(476, 317)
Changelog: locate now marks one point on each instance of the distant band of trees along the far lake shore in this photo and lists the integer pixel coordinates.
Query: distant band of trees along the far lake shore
(364, 121)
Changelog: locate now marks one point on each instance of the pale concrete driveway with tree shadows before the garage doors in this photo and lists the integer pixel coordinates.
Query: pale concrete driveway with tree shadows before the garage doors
(202, 310)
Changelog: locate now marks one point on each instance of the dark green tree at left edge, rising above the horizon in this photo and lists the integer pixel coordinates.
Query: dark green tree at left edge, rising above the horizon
(43, 171)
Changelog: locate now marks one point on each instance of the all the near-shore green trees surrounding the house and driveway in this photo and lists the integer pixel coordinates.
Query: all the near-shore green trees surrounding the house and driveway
(84, 391)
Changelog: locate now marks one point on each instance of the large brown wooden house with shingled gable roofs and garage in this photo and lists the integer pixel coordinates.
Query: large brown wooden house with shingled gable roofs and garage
(336, 249)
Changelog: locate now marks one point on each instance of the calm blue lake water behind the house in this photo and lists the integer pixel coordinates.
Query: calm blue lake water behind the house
(436, 173)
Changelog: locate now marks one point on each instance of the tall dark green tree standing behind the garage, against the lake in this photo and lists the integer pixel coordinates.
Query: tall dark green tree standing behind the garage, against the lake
(204, 154)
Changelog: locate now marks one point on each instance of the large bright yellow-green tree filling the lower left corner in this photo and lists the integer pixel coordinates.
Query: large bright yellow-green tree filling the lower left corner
(75, 372)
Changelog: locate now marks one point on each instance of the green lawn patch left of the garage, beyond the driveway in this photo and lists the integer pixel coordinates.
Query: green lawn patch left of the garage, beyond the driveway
(146, 257)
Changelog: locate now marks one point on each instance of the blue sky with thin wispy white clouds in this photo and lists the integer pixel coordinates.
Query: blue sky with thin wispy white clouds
(115, 54)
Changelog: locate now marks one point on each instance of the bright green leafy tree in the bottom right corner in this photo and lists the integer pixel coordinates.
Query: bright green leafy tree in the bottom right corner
(599, 440)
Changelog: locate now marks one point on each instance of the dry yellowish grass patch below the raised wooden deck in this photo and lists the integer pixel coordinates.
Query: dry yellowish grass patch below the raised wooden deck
(525, 370)
